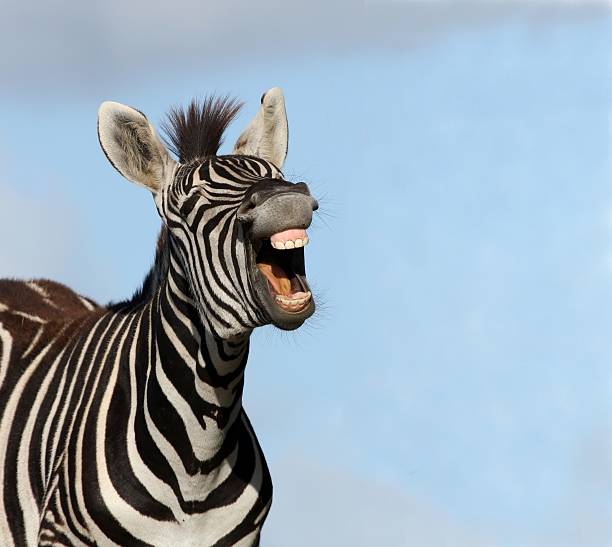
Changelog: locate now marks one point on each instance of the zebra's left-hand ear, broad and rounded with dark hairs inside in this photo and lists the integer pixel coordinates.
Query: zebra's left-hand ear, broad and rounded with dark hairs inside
(131, 145)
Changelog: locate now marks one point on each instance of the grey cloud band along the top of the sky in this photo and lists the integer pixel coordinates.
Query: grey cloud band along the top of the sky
(80, 47)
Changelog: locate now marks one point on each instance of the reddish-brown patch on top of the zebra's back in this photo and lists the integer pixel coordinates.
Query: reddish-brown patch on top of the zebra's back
(42, 299)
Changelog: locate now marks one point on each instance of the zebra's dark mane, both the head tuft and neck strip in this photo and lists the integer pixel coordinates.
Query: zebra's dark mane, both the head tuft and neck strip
(194, 132)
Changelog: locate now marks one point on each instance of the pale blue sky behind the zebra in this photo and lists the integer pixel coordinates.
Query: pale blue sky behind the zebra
(456, 389)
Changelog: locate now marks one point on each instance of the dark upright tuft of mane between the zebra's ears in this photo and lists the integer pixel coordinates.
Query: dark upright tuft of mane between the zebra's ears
(196, 132)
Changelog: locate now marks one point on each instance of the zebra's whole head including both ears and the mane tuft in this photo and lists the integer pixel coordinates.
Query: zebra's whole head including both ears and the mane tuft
(236, 226)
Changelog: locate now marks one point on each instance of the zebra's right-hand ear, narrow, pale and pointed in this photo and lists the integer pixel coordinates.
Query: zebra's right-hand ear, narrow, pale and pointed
(267, 135)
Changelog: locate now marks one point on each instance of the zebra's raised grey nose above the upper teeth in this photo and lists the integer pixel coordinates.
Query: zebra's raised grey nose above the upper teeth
(268, 212)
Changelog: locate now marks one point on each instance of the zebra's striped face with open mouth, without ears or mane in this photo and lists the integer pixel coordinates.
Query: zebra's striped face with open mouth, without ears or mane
(240, 230)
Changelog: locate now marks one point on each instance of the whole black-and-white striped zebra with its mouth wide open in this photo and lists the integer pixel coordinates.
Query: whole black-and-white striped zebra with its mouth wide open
(123, 424)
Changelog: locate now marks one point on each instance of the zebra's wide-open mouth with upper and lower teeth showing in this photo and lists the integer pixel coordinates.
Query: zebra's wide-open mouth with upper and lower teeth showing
(280, 261)
